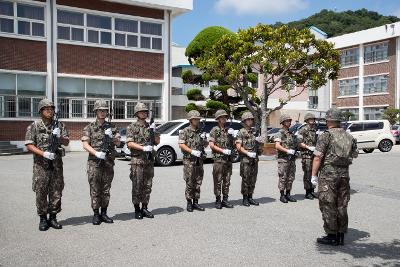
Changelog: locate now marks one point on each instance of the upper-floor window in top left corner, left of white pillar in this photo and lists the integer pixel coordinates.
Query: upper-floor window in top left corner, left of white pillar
(21, 18)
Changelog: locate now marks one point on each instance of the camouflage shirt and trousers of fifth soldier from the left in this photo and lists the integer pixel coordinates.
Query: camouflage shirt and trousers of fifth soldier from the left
(222, 168)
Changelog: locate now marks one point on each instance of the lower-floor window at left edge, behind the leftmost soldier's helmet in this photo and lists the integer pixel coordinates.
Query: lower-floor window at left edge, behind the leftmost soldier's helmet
(20, 94)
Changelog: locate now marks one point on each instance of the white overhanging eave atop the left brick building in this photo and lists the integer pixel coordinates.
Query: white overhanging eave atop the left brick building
(177, 7)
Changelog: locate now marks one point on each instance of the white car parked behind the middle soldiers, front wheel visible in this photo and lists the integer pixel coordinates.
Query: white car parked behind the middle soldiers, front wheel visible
(168, 151)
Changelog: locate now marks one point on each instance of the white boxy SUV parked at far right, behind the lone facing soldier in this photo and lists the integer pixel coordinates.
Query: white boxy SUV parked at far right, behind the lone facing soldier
(371, 134)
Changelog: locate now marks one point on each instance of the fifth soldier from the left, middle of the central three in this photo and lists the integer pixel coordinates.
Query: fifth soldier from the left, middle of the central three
(221, 143)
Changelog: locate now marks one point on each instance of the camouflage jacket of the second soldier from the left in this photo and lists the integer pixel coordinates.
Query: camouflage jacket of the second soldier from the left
(93, 133)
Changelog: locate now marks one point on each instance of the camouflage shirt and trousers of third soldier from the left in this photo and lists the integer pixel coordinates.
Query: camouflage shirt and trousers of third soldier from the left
(142, 168)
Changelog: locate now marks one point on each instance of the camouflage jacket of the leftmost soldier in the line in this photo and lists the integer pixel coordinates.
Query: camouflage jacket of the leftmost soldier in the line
(38, 134)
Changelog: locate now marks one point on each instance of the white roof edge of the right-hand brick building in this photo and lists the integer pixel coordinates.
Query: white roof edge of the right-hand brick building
(367, 36)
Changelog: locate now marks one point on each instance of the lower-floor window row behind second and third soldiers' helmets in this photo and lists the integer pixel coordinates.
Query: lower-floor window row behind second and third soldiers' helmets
(76, 97)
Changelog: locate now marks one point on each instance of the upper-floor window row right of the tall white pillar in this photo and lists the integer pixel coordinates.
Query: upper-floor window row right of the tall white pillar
(108, 30)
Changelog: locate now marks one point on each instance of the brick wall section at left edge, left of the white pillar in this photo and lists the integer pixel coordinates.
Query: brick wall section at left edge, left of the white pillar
(26, 55)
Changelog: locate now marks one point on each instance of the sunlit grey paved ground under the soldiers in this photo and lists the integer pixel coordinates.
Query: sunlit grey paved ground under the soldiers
(273, 234)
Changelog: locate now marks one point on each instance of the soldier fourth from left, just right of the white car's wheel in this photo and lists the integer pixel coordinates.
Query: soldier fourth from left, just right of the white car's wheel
(191, 142)
